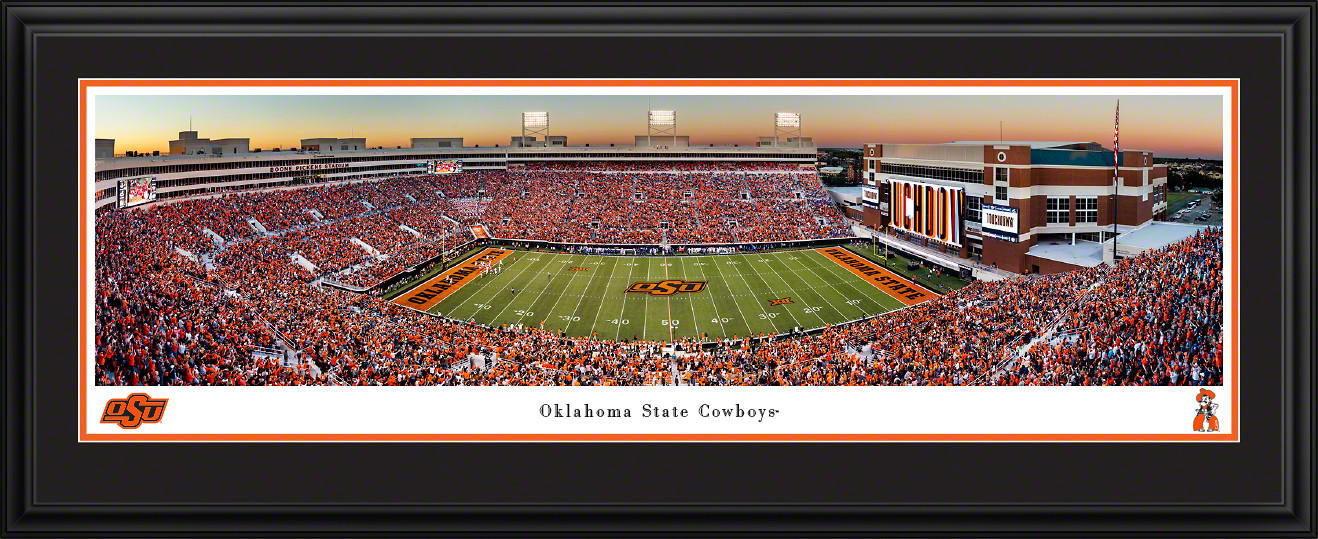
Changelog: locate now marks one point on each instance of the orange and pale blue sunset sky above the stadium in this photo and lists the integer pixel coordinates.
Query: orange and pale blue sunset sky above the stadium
(1167, 126)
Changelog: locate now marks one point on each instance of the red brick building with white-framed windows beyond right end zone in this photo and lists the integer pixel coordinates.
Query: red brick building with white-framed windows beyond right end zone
(1021, 206)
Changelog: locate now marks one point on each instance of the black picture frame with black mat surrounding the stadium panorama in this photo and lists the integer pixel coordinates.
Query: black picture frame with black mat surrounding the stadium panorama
(1262, 486)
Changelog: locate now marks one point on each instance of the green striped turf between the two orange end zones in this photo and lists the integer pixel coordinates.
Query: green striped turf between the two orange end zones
(737, 300)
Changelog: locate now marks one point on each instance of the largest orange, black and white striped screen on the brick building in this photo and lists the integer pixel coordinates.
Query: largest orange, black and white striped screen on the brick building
(927, 210)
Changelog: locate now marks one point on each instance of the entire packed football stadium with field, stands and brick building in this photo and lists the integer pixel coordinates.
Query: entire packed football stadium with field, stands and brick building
(656, 264)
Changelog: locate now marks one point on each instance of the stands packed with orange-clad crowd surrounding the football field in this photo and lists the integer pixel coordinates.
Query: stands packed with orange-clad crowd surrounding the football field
(188, 291)
